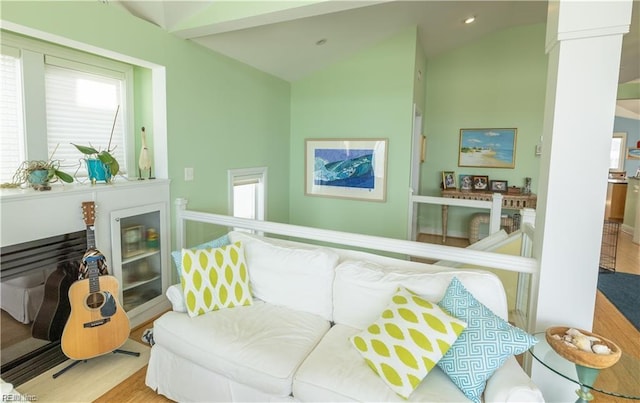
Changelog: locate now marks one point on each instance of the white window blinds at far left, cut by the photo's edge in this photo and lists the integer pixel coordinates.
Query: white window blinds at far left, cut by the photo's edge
(11, 119)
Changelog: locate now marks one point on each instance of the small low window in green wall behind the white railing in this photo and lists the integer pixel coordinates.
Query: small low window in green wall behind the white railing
(247, 193)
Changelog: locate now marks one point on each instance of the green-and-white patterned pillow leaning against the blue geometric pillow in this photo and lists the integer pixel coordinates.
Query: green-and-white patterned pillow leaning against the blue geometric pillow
(407, 341)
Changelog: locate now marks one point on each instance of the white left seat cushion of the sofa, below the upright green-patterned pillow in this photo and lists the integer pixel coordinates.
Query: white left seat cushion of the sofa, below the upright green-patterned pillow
(260, 345)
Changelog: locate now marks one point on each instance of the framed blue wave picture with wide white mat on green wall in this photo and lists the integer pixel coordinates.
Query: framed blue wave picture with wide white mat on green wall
(346, 168)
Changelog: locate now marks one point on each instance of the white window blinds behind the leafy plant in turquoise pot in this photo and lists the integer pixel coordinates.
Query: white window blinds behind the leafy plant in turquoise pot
(81, 103)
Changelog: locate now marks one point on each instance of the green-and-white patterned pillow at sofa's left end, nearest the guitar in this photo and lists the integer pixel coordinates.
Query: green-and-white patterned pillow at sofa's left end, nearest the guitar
(215, 278)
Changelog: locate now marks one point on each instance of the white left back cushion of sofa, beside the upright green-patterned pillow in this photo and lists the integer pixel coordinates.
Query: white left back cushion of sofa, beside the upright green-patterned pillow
(288, 274)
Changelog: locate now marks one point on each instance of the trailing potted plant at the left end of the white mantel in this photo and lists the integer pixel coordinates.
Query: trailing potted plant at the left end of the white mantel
(39, 173)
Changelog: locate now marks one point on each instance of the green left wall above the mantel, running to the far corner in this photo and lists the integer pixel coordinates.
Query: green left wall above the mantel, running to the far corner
(221, 114)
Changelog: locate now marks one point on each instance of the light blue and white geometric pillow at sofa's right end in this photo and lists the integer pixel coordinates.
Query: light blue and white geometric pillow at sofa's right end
(483, 346)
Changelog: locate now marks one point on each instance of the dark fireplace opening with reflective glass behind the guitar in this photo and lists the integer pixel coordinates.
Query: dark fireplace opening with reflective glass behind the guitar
(35, 277)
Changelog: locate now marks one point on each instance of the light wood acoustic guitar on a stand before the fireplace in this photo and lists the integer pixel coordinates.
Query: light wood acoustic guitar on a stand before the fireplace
(97, 324)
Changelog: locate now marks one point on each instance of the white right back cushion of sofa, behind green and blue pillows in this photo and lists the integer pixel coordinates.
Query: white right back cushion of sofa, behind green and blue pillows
(362, 289)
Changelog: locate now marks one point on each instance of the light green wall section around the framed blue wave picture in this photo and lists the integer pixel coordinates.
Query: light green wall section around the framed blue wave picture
(368, 95)
